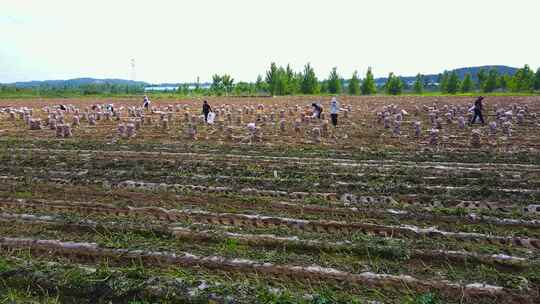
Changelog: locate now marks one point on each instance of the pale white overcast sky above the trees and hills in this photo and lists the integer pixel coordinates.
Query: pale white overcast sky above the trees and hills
(176, 41)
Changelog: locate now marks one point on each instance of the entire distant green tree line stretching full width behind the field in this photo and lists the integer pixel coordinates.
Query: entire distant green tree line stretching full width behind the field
(279, 80)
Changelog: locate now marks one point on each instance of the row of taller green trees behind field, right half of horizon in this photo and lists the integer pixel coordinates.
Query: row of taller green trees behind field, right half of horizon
(284, 81)
